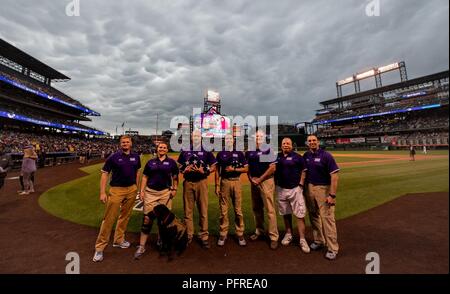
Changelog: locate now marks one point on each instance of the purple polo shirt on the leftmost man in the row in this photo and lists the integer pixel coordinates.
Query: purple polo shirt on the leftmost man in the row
(123, 167)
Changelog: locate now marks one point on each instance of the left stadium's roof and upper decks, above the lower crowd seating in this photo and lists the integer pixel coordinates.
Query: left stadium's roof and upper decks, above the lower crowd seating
(27, 97)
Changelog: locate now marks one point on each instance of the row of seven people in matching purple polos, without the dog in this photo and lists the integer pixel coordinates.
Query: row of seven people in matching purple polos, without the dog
(301, 183)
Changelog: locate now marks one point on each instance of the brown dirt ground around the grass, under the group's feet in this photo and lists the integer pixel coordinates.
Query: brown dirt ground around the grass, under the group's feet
(410, 234)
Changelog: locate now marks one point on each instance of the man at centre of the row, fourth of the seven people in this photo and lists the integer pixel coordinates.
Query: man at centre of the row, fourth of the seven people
(230, 165)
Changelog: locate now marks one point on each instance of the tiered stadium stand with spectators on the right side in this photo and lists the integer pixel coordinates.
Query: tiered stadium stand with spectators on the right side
(412, 112)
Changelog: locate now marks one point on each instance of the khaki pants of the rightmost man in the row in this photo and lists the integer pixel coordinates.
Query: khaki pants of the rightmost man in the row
(322, 217)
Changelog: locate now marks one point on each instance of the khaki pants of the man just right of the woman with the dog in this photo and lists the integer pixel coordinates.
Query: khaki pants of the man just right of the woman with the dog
(196, 192)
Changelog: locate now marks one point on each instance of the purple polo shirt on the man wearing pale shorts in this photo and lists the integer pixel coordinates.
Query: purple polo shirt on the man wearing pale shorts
(289, 170)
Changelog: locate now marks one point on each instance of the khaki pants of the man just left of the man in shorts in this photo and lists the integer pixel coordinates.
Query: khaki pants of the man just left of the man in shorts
(262, 196)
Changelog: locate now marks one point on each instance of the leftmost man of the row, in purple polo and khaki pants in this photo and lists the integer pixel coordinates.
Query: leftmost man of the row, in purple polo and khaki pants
(124, 166)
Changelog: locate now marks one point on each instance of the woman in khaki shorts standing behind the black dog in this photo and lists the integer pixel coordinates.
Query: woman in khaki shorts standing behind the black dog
(158, 186)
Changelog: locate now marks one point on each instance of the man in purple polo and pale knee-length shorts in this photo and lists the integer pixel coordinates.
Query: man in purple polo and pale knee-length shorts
(290, 178)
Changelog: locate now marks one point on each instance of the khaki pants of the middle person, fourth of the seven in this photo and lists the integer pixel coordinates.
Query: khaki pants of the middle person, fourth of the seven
(231, 190)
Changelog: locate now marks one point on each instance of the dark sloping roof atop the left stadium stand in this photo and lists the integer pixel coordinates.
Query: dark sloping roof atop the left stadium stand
(14, 54)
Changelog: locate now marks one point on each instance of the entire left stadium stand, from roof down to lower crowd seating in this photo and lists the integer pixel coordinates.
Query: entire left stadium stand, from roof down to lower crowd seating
(32, 112)
